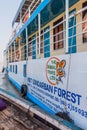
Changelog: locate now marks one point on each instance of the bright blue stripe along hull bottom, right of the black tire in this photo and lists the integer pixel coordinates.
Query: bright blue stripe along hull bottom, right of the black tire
(35, 100)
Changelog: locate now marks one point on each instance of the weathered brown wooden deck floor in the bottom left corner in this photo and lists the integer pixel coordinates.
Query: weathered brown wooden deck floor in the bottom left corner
(14, 119)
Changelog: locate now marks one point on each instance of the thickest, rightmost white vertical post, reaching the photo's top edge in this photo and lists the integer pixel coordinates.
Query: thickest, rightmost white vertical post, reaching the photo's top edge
(67, 23)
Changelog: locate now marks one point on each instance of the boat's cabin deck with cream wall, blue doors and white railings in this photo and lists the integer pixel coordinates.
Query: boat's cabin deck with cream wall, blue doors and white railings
(52, 30)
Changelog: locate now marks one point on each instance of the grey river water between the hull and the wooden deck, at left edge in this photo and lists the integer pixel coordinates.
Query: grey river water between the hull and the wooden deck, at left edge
(8, 86)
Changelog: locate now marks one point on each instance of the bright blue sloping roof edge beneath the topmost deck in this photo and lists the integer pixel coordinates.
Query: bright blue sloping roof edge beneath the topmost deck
(38, 10)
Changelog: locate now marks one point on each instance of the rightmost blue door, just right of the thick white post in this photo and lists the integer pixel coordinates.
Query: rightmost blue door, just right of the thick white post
(72, 34)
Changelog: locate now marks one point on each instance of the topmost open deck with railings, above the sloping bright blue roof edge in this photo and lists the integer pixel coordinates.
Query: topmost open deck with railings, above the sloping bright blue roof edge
(24, 12)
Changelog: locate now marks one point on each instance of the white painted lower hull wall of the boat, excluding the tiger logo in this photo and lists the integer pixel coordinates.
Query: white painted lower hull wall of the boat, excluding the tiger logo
(74, 85)
